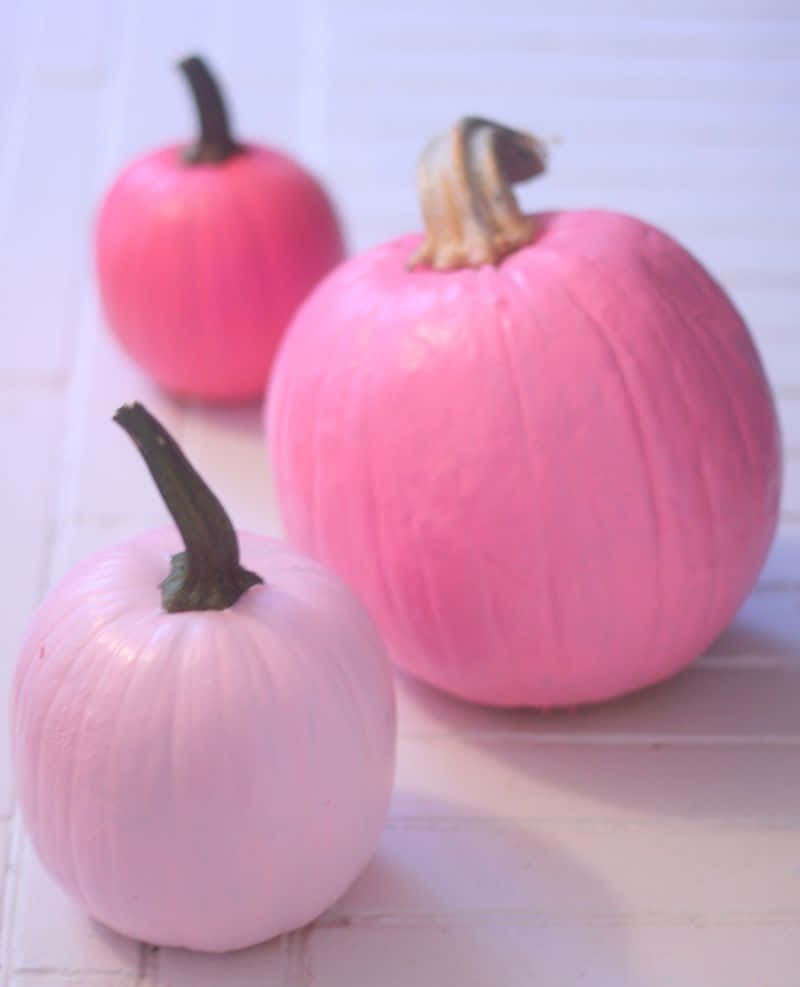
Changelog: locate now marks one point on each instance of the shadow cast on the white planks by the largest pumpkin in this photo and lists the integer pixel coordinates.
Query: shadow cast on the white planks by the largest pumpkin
(662, 751)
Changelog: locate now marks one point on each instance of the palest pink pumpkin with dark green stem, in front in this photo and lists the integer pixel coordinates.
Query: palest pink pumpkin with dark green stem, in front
(210, 768)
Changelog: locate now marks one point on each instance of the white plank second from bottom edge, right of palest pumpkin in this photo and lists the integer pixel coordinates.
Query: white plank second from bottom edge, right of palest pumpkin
(659, 873)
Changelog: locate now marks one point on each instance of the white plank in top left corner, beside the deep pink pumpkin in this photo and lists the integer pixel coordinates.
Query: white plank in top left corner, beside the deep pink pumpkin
(46, 198)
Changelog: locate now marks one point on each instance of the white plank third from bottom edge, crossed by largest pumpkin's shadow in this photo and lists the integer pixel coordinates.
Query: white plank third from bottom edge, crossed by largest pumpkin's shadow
(447, 778)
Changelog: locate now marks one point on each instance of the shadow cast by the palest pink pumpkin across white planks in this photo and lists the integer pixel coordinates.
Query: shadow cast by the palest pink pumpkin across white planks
(443, 901)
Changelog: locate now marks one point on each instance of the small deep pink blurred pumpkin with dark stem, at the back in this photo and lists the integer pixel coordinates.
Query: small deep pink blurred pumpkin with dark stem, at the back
(205, 250)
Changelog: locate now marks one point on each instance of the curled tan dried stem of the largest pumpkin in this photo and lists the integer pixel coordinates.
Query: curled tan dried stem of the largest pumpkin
(464, 179)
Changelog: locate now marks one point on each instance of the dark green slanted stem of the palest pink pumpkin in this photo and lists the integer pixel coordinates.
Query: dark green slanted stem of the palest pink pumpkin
(207, 575)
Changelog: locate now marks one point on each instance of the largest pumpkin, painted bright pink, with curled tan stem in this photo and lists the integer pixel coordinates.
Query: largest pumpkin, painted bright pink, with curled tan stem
(552, 472)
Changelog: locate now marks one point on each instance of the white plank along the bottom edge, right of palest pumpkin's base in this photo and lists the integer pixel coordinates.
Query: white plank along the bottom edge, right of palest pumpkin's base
(446, 953)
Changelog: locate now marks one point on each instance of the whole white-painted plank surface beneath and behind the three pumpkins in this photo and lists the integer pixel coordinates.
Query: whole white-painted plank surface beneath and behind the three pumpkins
(650, 843)
